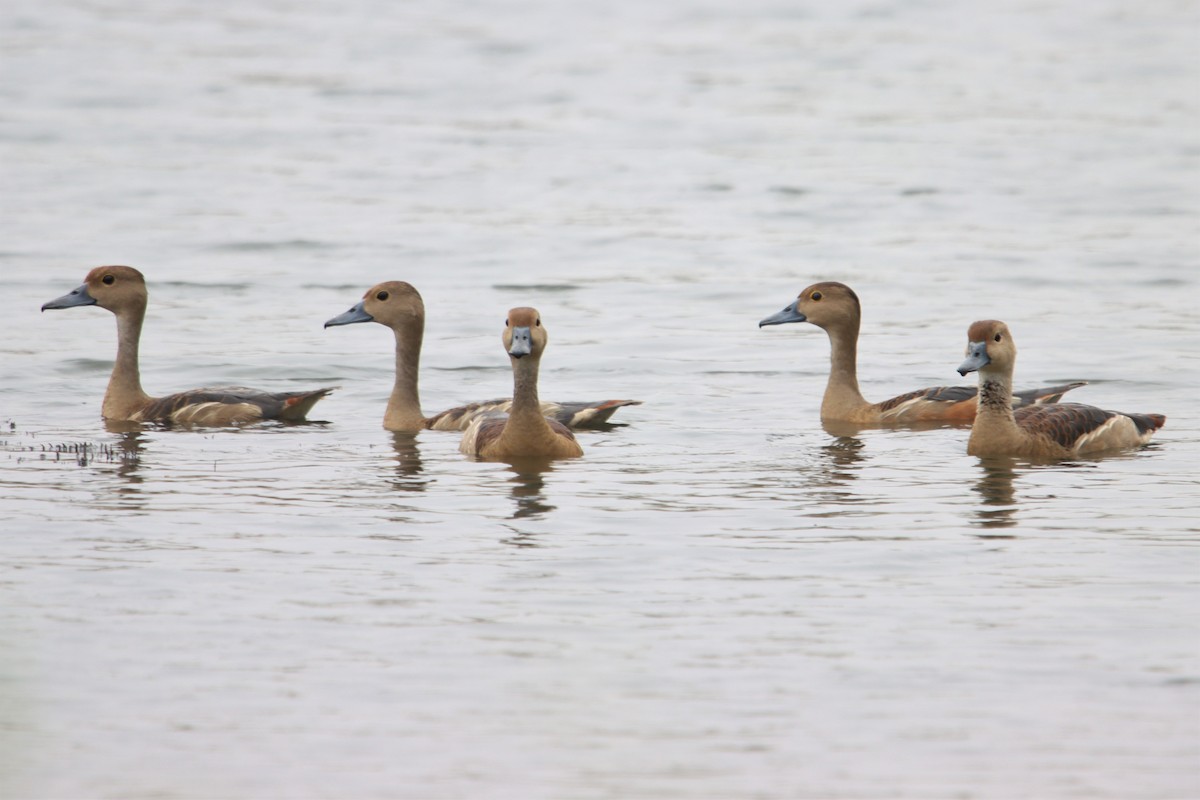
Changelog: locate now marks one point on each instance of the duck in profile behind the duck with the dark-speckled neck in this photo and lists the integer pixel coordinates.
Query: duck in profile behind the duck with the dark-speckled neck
(836, 309)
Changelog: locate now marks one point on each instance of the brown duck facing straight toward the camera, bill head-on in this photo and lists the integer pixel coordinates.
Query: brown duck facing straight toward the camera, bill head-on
(524, 431)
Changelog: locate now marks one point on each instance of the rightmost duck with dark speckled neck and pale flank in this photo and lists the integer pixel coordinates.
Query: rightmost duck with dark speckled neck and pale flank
(1052, 432)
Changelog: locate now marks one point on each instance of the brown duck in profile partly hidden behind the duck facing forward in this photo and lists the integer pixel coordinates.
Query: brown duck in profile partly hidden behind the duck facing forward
(399, 305)
